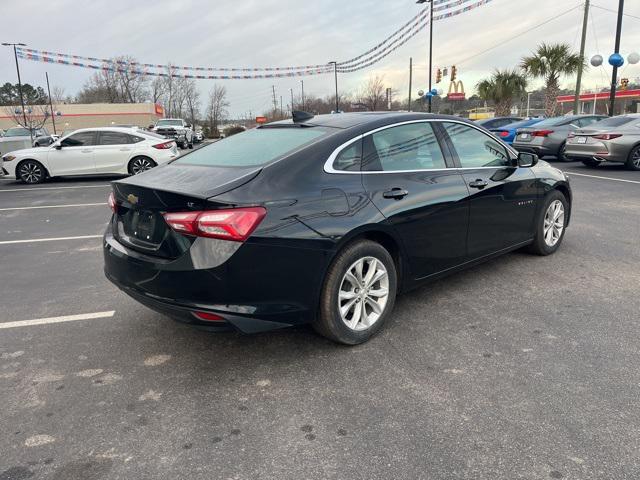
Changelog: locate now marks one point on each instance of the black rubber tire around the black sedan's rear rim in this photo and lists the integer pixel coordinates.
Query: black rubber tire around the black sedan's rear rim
(329, 322)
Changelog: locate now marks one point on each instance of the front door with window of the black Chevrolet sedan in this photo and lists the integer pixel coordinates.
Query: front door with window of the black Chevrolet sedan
(502, 196)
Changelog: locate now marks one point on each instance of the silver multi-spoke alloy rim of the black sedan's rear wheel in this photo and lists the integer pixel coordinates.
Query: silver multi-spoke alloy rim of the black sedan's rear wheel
(363, 293)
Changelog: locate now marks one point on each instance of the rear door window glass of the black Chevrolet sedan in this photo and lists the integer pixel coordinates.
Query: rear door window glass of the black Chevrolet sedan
(412, 146)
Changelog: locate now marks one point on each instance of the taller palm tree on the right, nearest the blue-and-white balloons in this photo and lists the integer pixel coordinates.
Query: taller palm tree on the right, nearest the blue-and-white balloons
(550, 62)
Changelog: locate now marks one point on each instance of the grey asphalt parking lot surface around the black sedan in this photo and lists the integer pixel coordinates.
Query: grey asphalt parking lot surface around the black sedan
(524, 367)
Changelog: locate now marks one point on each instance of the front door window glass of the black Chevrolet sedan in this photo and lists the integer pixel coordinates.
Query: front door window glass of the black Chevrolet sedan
(475, 148)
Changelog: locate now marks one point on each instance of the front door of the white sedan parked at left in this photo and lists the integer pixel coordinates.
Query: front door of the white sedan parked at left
(76, 155)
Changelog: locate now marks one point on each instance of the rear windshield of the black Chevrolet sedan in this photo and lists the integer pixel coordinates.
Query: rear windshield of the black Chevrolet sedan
(258, 146)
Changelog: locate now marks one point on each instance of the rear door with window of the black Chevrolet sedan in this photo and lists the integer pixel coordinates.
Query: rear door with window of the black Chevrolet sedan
(406, 175)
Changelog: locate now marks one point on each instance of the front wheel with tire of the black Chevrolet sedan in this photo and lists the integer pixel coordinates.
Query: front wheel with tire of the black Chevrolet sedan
(550, 225)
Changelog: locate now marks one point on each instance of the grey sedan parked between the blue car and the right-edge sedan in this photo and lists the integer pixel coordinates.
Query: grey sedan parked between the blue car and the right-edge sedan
(548, 138)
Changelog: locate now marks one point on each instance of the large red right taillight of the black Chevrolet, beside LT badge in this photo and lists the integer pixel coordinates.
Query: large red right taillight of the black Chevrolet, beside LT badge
(230, 224)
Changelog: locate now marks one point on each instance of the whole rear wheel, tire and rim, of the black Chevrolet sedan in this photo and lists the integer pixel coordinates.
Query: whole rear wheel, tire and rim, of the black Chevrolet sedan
(358, 294)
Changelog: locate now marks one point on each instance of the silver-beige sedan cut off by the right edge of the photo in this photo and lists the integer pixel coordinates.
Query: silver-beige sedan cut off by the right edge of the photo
(616, 139)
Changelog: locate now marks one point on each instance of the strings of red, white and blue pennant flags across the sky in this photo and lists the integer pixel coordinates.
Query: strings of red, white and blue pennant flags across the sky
(390, 44)
